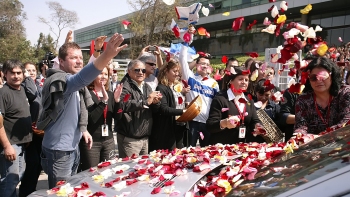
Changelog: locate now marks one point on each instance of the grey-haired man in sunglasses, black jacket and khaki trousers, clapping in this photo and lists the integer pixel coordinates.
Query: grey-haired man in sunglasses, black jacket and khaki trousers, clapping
(138, 102)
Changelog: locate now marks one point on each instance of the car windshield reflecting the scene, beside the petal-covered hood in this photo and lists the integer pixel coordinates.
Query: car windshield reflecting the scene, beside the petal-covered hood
(320, 157)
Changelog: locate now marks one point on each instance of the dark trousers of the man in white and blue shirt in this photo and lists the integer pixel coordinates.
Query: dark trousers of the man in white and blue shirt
(196, 128)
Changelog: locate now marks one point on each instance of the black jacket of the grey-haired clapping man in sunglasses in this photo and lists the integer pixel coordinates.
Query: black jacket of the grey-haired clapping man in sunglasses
(134, 120)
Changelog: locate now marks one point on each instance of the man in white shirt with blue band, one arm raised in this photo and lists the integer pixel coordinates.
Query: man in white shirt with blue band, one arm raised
(201, 85)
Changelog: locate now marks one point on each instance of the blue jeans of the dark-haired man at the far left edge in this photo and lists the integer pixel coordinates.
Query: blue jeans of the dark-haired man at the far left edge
(11, 171)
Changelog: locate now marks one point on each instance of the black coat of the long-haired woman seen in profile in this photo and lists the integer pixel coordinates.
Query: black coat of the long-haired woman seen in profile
(163, 132)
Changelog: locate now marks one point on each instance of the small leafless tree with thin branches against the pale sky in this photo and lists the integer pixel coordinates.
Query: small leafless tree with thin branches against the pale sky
(61, 17)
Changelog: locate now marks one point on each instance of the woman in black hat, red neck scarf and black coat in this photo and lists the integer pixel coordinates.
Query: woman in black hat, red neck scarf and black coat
(232, 115)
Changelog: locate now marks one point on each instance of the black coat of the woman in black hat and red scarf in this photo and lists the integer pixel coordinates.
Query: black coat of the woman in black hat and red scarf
(230, 136)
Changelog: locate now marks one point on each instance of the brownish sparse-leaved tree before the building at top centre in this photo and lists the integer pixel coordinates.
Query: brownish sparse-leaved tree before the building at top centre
(150, 23)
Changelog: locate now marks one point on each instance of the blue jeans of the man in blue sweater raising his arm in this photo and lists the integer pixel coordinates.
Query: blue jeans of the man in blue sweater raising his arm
(59, 165)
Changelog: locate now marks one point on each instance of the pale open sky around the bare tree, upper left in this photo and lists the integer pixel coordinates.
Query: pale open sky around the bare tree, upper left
(89, 13)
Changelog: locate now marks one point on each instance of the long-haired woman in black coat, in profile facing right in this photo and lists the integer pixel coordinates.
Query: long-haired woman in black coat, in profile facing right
(166, 132)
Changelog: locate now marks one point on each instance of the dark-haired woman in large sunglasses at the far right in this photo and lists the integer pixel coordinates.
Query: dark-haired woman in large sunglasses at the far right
(325, 103)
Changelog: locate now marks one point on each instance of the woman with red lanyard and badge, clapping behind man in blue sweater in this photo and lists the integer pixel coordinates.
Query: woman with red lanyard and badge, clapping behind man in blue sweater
(99, 125)
